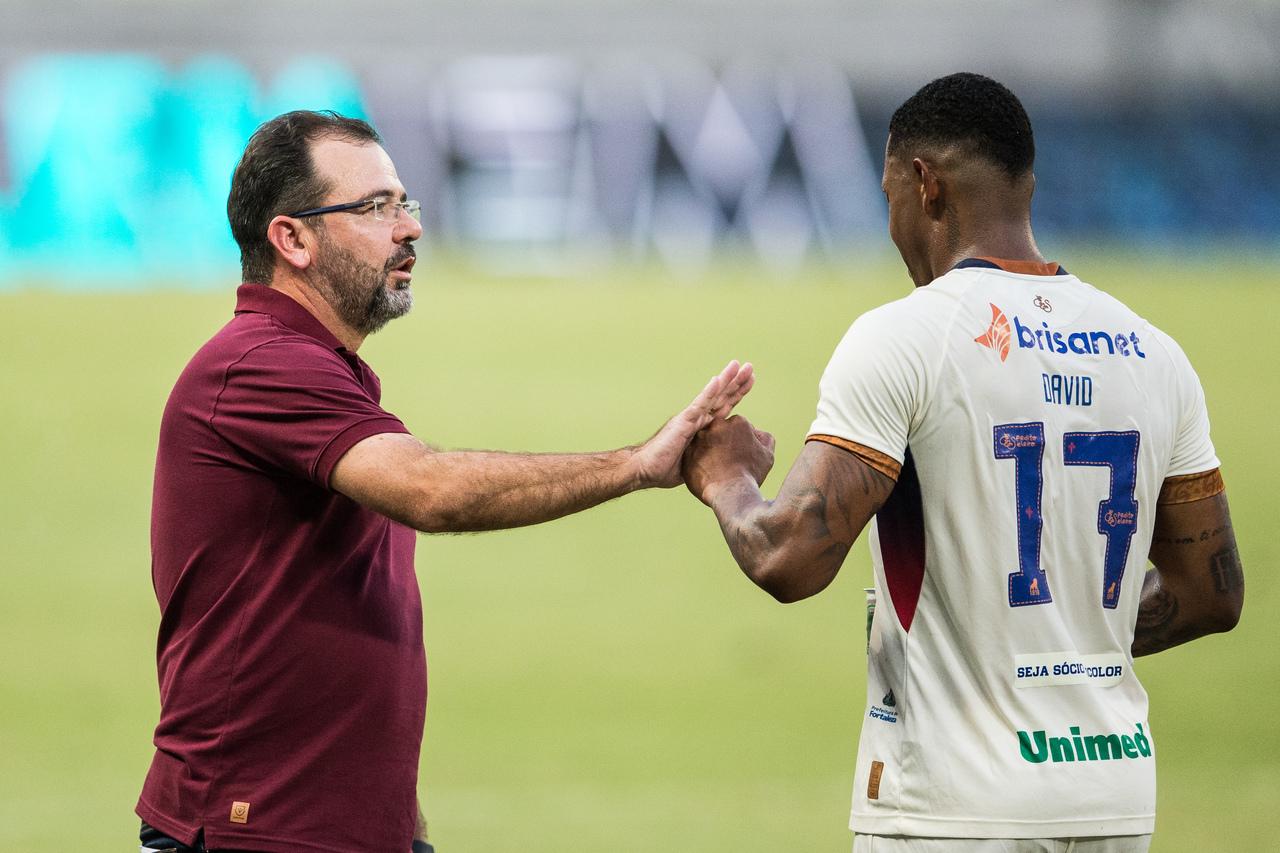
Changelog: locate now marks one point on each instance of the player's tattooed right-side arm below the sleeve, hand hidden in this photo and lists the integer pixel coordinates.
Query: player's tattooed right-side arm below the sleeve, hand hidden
(1197, 585)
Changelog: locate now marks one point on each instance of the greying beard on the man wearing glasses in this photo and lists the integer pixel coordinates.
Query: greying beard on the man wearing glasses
(358, 291)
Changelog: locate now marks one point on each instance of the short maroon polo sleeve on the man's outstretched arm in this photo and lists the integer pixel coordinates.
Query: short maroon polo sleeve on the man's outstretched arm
(298, 407)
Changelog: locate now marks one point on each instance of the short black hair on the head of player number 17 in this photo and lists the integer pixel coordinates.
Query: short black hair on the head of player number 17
(967, 110)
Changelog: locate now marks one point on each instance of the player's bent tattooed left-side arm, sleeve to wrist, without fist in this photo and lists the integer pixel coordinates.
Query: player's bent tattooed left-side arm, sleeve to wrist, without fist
(794, 546)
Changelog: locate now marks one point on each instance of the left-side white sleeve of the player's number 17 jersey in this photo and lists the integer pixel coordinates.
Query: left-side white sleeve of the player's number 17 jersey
(871, 390)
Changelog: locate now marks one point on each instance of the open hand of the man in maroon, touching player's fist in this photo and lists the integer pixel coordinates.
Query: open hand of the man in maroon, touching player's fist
(659, 459)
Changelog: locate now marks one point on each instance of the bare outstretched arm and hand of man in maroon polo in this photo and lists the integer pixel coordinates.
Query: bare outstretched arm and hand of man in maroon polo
(460, 491)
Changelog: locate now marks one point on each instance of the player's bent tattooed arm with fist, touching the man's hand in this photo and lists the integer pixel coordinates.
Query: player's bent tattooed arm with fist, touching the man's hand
(793, 546)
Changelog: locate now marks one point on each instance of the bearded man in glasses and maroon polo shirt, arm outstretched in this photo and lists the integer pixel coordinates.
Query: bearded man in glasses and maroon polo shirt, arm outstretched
(290, 655)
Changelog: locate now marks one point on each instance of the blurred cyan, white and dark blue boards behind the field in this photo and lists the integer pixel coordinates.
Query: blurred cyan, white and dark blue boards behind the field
(115, 167)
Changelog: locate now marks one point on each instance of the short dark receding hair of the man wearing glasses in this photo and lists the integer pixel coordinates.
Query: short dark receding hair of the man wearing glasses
(276, 176)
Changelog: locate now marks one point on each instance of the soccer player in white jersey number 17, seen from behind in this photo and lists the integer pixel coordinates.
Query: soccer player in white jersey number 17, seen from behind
(1025, 443)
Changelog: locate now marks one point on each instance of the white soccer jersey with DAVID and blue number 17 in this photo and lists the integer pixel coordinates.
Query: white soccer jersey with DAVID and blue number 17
(1036, 419)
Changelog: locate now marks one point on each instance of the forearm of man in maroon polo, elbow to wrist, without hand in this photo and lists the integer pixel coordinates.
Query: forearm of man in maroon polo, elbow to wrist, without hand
(468, 491)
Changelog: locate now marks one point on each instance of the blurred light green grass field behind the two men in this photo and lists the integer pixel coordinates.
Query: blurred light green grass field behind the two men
(607, 682)
